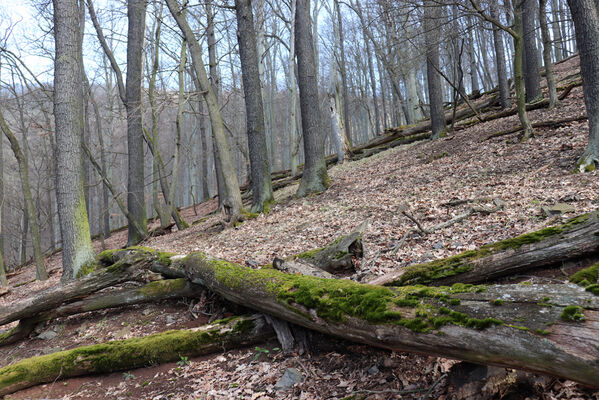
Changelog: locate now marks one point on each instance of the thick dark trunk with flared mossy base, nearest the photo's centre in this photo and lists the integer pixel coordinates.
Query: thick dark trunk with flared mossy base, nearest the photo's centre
(315, 177)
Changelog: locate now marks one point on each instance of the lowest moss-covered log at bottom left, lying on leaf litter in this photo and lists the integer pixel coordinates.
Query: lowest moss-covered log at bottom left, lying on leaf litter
(134, 353)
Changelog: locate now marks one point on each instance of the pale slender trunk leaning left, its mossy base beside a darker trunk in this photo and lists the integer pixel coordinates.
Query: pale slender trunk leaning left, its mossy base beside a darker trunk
(231, 200)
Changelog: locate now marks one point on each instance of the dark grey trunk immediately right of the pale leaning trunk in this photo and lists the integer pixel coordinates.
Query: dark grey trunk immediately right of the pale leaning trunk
(260, 167)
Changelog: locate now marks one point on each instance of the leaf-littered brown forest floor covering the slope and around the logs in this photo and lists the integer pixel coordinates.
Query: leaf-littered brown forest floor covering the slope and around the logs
(420, 178)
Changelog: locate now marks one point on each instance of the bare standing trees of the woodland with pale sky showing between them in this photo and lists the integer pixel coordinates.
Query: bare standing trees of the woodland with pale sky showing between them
(356, 67)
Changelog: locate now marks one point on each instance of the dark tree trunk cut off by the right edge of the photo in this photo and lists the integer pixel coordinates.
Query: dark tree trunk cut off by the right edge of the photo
(586, 20)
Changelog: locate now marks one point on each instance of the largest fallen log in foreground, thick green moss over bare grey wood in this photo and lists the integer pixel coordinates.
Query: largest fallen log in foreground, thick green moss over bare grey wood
(542, 328)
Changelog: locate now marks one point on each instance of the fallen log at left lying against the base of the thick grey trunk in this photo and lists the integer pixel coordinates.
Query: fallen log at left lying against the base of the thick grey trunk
(131, 265)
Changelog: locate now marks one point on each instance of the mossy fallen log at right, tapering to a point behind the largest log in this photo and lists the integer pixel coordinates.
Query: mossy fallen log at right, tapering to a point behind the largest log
(578, 237)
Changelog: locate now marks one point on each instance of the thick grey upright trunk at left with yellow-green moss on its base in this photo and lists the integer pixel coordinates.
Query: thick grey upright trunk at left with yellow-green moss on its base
(77, 248)
